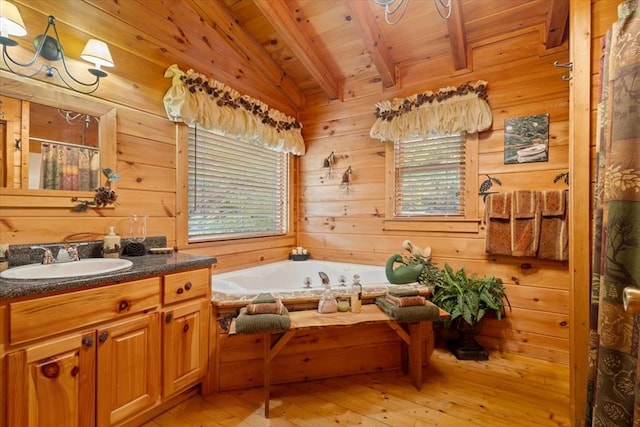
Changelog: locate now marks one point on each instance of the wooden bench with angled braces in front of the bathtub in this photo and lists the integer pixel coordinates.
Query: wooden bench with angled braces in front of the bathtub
(275, 341)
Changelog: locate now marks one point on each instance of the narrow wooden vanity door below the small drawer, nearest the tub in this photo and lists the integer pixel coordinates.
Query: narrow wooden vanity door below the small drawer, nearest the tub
(185, 330)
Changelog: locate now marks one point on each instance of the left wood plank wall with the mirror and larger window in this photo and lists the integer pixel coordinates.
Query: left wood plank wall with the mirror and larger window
(147, 149)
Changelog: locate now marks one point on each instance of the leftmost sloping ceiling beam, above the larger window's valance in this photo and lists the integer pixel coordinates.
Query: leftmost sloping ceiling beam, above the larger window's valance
(218, 15)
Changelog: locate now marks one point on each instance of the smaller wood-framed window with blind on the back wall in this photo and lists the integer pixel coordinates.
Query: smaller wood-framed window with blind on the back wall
(432, 184)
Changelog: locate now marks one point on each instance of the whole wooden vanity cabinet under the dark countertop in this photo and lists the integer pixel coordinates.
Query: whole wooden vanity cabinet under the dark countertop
(104, 356)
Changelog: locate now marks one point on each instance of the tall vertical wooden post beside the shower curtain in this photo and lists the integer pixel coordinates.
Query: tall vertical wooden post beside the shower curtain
(580, 116)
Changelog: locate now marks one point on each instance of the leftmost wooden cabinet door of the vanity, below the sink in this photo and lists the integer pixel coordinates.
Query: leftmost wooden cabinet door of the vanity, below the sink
(53, 383)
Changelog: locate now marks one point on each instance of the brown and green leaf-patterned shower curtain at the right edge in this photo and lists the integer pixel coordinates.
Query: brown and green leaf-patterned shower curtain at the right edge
(614, 388)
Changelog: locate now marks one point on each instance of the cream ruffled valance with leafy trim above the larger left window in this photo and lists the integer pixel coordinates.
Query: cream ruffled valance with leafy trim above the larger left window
(194, 98)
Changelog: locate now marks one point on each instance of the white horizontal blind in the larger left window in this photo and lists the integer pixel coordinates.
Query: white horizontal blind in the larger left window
(236, 188)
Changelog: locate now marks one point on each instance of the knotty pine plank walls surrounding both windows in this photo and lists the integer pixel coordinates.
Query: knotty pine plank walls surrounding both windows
(332, 225)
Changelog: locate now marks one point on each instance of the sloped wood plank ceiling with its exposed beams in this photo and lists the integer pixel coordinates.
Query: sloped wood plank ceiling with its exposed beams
(314, 45)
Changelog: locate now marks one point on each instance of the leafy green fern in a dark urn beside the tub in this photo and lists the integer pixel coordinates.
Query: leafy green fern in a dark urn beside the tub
(468, 299)
